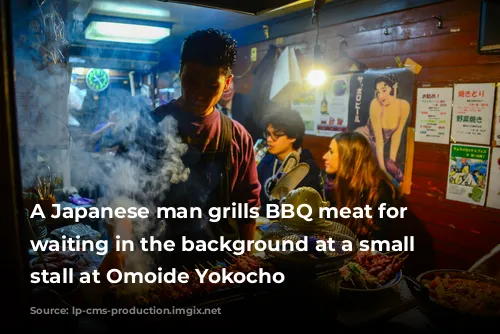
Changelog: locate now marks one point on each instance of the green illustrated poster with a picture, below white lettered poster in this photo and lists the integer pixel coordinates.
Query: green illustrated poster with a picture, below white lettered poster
(468, 173)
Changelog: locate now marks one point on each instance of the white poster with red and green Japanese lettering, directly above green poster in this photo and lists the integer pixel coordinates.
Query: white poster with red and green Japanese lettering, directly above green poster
(473, 113)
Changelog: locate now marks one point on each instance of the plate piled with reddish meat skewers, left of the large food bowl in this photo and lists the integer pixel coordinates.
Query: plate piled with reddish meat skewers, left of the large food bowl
(371, 271)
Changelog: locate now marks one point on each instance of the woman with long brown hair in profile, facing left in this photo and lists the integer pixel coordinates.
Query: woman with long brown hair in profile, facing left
(356, 180)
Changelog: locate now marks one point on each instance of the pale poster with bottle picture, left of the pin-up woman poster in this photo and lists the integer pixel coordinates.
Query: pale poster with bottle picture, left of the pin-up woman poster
(332, 106)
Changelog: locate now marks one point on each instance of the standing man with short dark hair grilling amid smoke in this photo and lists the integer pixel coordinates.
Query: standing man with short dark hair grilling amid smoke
(220, 152)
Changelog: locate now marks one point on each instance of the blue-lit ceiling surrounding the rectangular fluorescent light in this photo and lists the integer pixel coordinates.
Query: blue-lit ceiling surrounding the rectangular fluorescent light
(184, 19)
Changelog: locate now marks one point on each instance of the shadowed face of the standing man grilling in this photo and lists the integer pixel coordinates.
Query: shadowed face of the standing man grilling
(202, 87)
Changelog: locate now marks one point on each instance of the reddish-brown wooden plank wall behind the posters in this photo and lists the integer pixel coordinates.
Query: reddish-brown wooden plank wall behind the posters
(461, 232)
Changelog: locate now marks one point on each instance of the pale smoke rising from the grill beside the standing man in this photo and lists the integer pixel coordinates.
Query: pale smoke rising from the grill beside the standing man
(122, 180)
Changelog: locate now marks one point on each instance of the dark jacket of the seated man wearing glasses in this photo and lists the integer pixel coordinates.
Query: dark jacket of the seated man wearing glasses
(265, 171)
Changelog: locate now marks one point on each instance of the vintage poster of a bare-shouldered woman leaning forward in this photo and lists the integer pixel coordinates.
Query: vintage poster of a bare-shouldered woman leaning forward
(382, 99)
